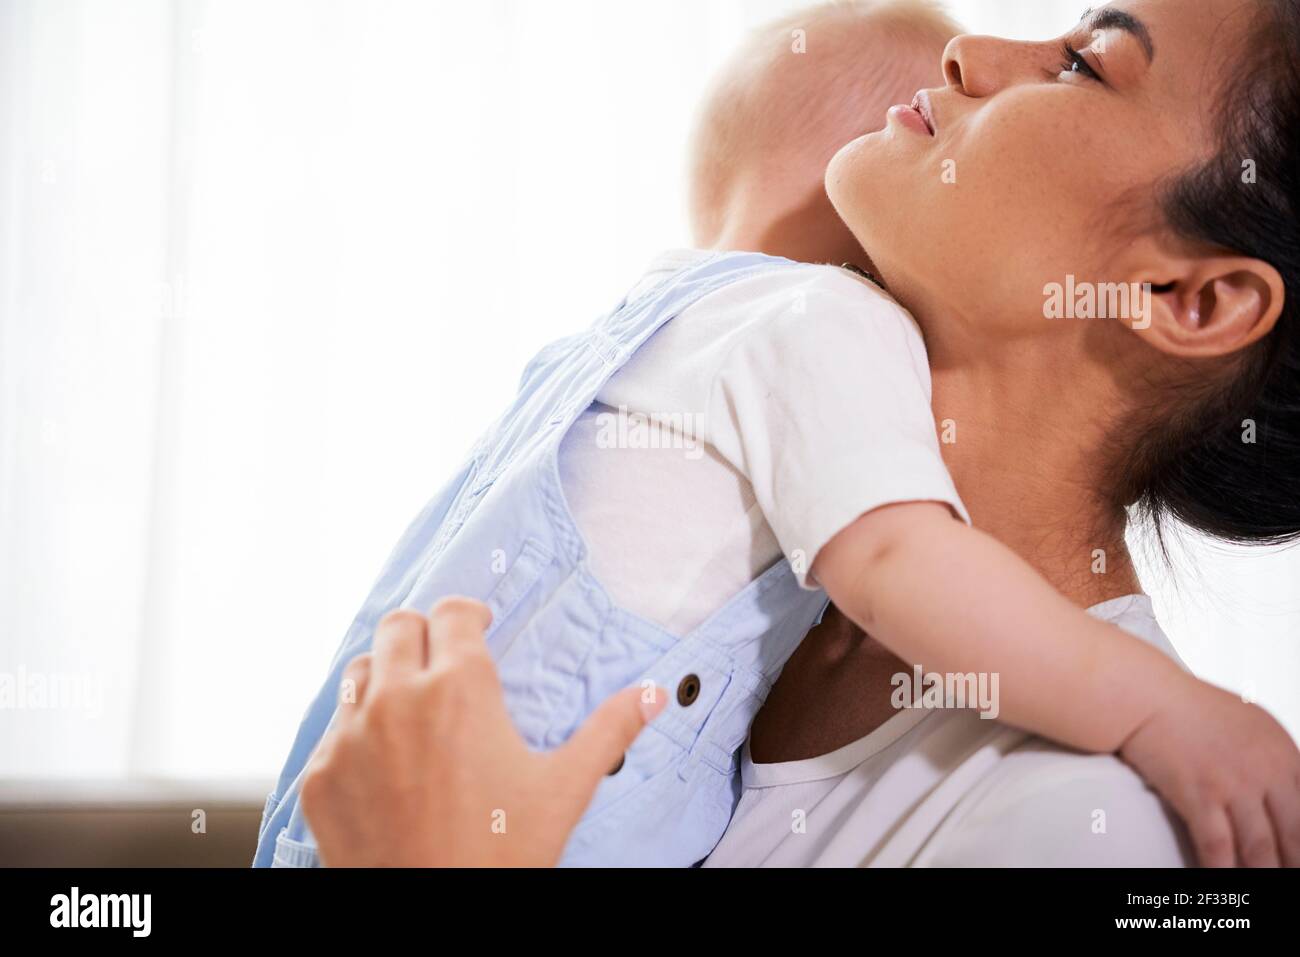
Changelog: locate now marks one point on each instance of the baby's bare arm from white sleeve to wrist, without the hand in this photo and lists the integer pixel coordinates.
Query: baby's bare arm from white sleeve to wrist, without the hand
(954, 600)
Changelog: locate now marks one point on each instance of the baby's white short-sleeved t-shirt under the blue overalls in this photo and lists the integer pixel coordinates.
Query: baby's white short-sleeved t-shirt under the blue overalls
(761, 422)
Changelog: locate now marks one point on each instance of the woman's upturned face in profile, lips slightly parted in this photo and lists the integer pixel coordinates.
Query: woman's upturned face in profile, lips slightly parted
(1043, 163)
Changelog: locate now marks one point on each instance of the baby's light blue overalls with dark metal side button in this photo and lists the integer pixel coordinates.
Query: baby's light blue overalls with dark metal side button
(502, 532)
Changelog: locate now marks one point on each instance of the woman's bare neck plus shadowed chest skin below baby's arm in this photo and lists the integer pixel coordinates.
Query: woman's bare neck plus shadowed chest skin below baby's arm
(1022, 439)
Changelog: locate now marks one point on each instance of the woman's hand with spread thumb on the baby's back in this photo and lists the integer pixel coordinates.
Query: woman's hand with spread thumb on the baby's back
(424, 767)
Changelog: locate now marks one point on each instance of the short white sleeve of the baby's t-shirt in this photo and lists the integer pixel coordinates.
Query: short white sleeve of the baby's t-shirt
(825, 405)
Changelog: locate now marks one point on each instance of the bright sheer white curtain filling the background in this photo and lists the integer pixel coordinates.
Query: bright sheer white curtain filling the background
(266, 271)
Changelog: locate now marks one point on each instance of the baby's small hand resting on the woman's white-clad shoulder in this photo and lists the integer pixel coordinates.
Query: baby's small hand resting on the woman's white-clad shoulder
(1230, 772)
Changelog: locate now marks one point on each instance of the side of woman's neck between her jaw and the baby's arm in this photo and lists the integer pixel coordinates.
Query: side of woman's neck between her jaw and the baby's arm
(1024, 447)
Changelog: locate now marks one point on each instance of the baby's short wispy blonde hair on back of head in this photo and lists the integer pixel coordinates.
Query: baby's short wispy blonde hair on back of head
(803, 86)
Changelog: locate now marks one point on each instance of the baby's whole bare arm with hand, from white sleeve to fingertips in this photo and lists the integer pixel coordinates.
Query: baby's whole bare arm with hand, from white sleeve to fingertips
(954, 600)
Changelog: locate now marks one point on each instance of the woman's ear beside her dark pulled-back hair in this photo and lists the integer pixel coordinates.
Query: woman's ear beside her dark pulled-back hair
(1216, 308)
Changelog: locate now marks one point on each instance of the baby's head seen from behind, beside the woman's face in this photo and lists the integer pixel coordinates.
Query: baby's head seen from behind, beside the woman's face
(791, 97)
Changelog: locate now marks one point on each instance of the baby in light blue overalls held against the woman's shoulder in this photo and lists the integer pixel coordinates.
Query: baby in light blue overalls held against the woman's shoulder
(675, 495)
